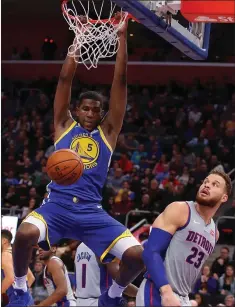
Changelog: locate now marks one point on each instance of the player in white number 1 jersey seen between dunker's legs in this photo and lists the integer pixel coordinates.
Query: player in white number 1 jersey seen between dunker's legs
(93, 277)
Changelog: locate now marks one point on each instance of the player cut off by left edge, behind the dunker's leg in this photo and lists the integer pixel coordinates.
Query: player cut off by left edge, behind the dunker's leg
(7, 271)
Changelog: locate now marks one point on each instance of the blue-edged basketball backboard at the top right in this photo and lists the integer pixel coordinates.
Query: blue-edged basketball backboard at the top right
(191, 38)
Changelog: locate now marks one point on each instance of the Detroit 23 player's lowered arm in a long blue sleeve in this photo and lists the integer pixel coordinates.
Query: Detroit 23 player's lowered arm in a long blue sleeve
(163, 229)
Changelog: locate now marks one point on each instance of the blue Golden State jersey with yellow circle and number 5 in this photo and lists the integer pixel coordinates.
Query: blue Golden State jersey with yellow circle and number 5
(95, 152)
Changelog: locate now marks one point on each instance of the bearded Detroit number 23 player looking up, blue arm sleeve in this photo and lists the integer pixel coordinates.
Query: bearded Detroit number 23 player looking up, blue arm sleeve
(181, 240)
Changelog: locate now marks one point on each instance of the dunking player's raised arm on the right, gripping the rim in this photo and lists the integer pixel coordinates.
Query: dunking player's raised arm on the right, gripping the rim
(112, 123)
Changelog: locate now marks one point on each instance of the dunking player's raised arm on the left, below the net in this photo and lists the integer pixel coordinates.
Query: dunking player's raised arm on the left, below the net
(62, 116)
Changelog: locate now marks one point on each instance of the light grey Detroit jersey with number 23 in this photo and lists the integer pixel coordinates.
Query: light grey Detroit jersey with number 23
(189, 248)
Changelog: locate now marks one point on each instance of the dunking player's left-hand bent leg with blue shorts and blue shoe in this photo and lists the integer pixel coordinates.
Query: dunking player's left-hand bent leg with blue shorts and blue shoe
(45, 226)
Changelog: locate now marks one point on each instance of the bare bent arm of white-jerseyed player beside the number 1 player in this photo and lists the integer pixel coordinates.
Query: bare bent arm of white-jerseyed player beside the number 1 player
(56, 270)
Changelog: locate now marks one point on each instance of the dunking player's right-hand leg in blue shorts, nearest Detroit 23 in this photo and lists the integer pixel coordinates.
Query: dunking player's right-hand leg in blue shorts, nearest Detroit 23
(103, 234)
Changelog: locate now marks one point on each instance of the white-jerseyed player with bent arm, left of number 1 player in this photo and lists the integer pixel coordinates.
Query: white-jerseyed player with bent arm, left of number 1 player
(56, 280)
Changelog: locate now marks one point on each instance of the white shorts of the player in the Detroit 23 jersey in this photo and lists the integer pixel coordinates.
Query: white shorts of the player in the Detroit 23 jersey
(148, 296)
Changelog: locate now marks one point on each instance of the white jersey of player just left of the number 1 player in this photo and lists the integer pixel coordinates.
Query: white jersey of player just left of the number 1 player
(69, 299)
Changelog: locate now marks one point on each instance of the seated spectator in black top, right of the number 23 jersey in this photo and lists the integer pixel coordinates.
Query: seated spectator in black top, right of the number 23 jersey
(218, 266)
